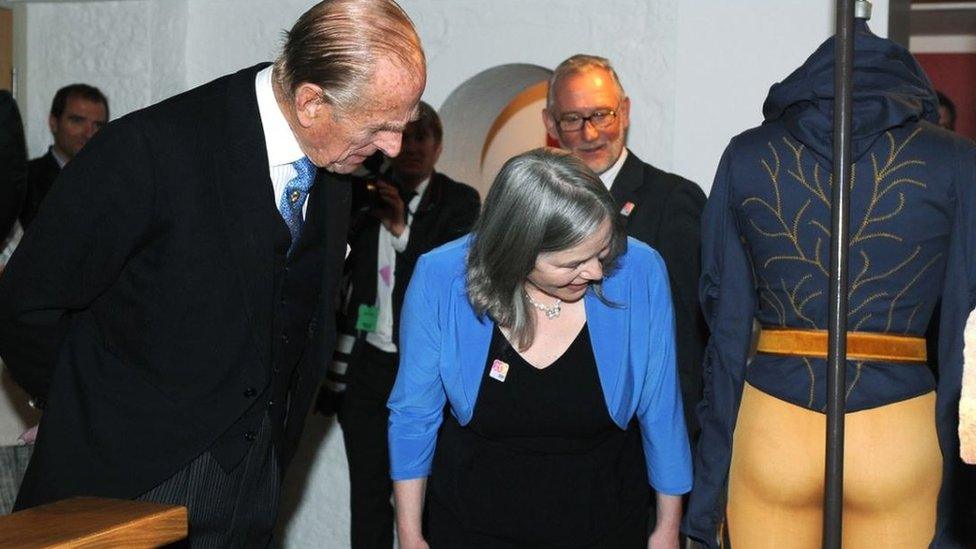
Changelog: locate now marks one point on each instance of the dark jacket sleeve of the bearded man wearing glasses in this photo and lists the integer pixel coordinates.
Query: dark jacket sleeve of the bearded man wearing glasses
(680, 244)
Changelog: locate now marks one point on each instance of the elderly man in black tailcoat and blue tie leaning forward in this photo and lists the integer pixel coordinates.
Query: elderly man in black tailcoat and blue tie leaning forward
(172, 301)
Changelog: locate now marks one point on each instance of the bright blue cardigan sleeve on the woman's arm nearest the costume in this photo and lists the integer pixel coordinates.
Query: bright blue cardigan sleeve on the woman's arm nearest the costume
(659, 409)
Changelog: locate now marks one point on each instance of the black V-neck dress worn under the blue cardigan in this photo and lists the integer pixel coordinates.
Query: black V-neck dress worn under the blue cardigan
(541, 464)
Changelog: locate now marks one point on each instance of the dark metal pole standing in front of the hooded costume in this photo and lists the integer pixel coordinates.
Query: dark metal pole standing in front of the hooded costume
(837, 321)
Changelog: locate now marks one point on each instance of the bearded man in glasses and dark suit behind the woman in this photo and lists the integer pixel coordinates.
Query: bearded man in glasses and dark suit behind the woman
(588, 113)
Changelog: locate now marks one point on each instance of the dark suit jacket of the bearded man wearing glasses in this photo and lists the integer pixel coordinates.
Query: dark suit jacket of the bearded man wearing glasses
(667, 216)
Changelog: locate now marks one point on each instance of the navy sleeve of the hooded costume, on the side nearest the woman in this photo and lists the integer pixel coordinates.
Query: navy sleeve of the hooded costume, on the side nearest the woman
(727, 293)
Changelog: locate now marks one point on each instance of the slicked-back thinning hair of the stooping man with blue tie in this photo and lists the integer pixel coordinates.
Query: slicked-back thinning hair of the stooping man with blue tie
(337, 43)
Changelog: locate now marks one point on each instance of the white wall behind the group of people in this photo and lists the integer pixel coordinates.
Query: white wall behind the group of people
(696, 71)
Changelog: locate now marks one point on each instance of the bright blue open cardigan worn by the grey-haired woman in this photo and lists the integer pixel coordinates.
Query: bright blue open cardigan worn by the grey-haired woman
(444, 347)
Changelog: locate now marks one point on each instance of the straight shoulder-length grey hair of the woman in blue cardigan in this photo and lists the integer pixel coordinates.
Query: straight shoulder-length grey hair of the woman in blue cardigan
(545, 200)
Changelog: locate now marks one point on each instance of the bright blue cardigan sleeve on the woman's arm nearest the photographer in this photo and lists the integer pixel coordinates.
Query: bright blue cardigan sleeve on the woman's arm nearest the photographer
(417, 401)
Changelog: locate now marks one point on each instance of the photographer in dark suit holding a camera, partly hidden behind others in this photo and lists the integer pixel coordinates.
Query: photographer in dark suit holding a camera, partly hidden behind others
(407, 212)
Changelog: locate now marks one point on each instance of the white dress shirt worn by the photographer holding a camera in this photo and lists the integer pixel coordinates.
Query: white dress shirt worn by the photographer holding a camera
(387, 248)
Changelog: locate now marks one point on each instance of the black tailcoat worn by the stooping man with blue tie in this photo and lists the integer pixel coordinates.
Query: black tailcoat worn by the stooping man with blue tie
(140, 302)
